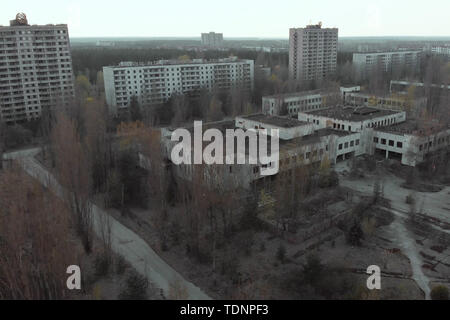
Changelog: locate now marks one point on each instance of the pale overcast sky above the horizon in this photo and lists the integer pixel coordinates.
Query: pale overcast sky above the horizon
(234, 18)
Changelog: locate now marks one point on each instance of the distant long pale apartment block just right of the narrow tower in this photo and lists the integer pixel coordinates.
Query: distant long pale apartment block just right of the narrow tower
(385, 62)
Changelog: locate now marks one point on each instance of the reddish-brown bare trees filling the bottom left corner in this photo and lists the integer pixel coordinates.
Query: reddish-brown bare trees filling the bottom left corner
(36, 243)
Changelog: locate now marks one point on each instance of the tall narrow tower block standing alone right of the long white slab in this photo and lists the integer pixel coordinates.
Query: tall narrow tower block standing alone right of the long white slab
(312, 52)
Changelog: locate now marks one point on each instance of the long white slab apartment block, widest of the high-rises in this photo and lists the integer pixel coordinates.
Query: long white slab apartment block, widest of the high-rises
(155, 82)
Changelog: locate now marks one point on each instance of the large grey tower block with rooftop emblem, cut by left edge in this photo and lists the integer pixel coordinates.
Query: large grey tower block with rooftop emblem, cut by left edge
(35, 69)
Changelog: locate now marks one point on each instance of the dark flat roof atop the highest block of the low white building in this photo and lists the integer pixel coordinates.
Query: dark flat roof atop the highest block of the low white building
(351, 113)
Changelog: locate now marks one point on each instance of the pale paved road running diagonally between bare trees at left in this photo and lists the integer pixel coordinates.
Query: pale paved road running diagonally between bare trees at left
(124, 241)
